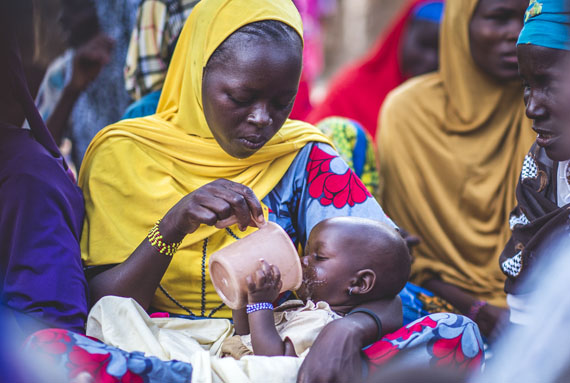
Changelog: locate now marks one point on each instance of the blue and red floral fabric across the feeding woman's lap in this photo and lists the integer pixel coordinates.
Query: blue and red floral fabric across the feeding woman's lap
(438, 339)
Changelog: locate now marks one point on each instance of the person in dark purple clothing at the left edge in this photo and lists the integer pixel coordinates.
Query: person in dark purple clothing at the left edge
(41, 208)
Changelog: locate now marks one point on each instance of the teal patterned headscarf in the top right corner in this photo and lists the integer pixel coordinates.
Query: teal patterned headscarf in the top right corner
(547, 24)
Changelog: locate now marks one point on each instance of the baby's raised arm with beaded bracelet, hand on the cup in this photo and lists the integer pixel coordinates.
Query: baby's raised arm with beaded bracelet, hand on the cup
(263, 287)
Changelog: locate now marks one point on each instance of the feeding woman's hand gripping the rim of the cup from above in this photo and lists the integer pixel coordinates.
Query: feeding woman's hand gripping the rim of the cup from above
(220, 203)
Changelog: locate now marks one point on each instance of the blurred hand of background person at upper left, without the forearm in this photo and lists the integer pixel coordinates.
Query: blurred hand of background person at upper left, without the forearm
(89, 60)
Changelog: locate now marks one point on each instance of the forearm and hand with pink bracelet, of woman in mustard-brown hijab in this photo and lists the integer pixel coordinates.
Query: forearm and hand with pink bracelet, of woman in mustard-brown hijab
(488, 317)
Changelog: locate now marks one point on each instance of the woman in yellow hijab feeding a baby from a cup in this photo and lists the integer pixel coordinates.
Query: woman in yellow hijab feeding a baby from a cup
(220, 141)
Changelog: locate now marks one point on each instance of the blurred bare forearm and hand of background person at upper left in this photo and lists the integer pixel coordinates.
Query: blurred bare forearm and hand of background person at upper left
(88, 62)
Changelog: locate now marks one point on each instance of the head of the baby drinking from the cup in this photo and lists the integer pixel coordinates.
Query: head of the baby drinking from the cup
(349, 261)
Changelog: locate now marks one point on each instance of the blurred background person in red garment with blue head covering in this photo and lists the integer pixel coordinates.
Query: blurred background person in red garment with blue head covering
(408, 49)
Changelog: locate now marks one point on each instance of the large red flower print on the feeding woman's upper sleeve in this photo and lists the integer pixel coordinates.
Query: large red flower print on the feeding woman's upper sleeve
(330, 187)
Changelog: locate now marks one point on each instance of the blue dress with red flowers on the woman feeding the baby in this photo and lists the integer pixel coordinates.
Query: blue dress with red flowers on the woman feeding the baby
(319, 184)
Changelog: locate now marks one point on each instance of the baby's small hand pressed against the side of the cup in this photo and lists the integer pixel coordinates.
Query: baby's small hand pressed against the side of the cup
(264, 284)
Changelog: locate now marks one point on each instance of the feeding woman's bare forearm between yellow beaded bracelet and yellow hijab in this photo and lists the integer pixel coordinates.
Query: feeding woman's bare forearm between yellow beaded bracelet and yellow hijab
(138, 277)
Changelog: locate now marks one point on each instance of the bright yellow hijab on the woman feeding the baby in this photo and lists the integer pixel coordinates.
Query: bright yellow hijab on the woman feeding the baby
(135, 170)
